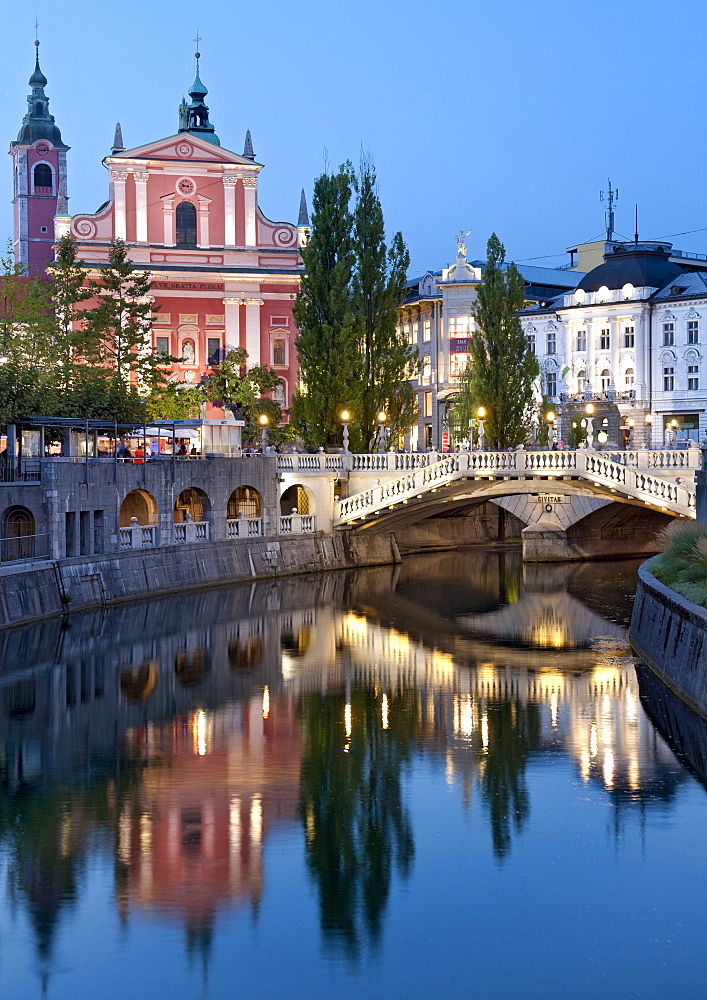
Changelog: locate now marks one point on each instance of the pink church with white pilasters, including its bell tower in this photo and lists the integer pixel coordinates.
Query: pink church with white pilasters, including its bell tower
(223, 274)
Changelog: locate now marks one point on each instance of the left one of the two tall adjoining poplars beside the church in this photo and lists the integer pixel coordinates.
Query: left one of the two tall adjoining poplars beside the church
(328, 342)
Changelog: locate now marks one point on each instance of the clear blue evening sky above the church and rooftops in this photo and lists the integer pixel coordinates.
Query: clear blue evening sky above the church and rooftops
(483, 116)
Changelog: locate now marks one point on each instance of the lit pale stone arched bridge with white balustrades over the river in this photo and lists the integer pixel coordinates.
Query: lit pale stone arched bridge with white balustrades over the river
(570, 504)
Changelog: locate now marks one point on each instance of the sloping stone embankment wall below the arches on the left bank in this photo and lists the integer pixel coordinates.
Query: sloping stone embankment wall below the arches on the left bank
(36, 590)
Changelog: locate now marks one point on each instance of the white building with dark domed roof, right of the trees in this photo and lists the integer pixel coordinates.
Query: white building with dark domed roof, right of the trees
(630, 339)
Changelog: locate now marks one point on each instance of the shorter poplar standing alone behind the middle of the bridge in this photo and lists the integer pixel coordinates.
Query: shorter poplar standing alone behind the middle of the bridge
(502, 367)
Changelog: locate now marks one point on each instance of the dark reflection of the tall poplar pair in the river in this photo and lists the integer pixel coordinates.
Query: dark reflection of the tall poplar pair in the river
(357, 827)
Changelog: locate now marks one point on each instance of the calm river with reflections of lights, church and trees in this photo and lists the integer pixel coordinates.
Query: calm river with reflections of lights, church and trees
(447, 778)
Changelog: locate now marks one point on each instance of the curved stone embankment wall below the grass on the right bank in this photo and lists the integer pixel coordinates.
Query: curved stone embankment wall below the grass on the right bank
(670, 634)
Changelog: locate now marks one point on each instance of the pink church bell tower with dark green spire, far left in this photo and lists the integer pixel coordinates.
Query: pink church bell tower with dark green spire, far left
(39, 162)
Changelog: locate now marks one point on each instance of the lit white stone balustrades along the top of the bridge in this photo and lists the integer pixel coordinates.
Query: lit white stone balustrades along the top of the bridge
(597, 468)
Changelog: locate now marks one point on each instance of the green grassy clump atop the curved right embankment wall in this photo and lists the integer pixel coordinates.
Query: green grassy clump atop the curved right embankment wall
(682, 566)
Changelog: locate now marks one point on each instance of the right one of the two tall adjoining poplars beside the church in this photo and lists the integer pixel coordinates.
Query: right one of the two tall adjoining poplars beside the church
(380, 274)
